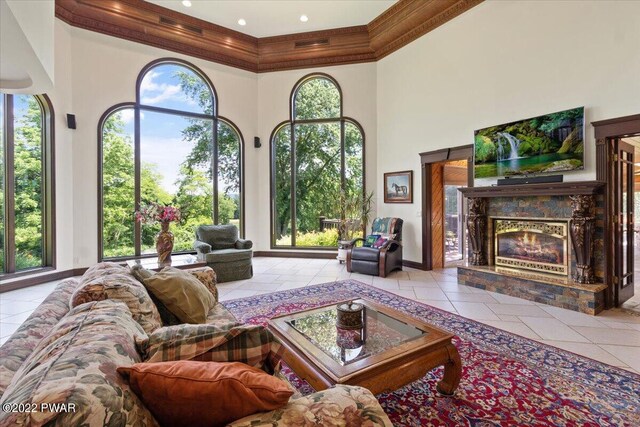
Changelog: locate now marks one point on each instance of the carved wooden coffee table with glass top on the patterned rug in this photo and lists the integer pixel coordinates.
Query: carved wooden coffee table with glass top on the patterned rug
(389, 351)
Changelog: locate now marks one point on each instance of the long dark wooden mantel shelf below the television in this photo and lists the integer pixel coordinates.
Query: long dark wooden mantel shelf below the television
(547, 189)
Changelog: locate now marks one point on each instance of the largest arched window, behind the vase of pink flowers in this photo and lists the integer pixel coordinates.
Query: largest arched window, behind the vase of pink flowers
(169, 147)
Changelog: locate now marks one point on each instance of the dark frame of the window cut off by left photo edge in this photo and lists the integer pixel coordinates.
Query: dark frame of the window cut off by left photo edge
(47, 138)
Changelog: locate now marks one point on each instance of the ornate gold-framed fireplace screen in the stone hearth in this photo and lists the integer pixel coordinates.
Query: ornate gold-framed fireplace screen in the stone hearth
(532, 245)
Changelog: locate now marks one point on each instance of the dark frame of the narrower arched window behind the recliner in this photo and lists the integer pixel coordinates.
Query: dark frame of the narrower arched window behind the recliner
(292, 122)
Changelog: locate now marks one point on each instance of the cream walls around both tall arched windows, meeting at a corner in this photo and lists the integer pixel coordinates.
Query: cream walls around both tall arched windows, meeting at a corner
(102, 72)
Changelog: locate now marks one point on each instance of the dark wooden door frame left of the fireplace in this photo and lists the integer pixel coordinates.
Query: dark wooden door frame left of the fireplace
(427, 159)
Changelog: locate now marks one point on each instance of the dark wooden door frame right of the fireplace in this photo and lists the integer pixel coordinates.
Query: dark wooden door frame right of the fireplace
(606, 131)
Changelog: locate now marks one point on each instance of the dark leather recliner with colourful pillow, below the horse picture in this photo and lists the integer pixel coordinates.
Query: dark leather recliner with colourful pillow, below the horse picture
(378, 261)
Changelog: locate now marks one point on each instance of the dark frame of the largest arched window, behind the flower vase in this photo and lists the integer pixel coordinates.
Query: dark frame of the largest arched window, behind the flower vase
(138, 107)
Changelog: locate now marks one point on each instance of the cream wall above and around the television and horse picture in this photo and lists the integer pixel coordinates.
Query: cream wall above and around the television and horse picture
(499, 62)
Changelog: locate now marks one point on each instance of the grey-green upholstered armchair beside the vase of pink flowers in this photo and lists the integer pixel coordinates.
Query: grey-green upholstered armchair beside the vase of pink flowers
(222, 250)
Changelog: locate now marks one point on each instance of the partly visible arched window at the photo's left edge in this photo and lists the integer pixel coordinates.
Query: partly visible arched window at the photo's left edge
(26, 183)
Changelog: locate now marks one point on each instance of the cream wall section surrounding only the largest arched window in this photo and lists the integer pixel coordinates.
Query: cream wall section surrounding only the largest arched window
(103, 73)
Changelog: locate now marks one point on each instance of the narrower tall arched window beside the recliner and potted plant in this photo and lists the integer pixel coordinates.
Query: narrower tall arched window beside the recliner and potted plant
(317, 160)
